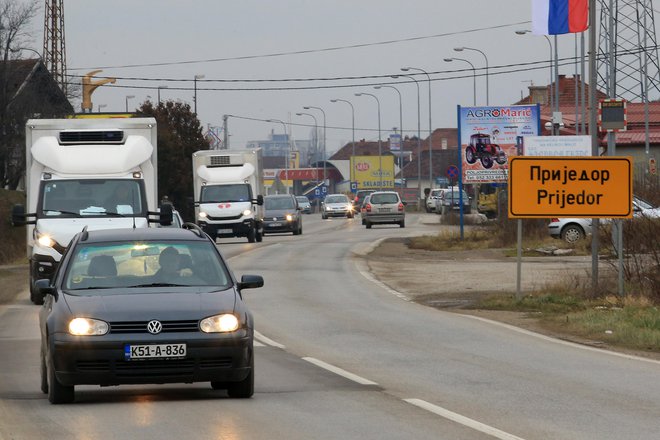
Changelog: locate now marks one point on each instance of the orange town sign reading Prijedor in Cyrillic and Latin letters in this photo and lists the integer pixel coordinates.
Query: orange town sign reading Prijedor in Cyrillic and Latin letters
(591, 187)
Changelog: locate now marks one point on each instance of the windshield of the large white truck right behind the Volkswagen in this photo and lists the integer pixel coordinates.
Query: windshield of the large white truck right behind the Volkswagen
(92, 197)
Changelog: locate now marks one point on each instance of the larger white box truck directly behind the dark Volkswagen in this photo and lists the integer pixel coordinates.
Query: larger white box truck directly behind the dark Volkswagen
(99, 173)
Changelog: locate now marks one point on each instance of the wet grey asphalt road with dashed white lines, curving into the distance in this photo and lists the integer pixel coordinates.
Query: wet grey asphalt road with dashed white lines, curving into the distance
(342, 356)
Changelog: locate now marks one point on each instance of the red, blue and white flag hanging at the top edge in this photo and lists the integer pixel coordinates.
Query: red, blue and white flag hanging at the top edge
(552, 17)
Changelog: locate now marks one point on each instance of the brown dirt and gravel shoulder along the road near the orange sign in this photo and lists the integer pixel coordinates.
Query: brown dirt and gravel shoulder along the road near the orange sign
(454, 281)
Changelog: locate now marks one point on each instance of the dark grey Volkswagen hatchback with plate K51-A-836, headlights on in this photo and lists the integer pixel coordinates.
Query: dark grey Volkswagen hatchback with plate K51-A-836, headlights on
(145, 306)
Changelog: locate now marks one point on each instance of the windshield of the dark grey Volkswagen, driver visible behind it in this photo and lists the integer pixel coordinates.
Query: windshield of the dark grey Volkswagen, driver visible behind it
(145, 264)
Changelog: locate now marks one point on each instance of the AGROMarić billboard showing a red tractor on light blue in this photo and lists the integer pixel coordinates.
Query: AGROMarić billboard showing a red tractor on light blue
(489, 136)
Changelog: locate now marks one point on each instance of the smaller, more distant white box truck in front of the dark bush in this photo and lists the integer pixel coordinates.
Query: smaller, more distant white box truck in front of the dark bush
(228, 193)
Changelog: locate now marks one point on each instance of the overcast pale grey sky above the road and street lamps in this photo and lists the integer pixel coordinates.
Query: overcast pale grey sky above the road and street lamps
(368, 40)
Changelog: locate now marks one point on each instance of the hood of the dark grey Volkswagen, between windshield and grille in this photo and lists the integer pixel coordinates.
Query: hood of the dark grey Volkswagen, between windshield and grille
(144, 306)
